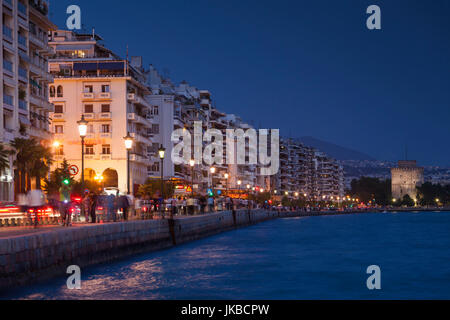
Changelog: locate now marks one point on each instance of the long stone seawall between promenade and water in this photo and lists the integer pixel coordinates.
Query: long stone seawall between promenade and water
(37, 257)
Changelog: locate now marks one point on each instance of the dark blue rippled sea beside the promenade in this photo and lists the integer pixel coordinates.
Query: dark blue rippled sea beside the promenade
(304, 258)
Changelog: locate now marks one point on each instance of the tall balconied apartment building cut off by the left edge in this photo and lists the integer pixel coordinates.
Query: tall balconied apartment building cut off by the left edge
(25, 53)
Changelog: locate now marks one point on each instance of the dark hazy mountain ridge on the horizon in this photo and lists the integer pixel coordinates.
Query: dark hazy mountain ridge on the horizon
(335, 151)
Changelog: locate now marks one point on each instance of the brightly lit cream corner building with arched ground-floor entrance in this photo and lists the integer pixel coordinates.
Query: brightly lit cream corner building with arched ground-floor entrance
(111, 93)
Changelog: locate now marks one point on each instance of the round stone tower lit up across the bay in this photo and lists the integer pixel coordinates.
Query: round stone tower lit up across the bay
(405, 179)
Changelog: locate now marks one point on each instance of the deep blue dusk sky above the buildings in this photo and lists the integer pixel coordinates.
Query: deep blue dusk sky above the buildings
(310, 68)
